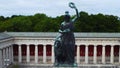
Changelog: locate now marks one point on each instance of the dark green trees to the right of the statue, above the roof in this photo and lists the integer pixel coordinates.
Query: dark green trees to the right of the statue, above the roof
(97, 23)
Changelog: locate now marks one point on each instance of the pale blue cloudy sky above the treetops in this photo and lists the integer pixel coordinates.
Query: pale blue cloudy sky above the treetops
(57, 7)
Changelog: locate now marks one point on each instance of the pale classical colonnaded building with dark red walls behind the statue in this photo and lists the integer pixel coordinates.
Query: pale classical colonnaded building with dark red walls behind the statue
(38, 48)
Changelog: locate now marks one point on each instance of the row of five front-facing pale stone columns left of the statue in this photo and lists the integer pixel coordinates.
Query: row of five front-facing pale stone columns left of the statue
(36, 54)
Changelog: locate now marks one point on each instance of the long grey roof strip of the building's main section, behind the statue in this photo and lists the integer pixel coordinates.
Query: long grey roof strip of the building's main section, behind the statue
(54, 34)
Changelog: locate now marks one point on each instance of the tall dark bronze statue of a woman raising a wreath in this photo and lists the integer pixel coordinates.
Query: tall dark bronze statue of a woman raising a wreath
(65, 42)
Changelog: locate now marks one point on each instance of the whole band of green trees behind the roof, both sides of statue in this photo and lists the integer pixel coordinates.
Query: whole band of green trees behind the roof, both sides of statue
(43, 23)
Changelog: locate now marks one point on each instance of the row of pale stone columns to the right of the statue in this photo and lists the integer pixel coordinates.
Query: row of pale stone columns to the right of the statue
(103, 57)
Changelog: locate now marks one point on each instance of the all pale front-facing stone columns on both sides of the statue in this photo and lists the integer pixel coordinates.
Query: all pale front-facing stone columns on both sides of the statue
(78, 56)
